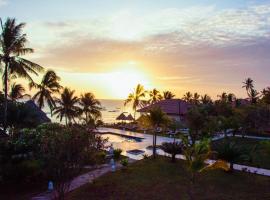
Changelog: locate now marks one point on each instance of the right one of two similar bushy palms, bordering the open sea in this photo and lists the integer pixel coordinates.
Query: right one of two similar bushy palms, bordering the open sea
(91, 107)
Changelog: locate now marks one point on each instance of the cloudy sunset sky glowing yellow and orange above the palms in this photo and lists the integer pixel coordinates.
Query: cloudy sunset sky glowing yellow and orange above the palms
(109, 46)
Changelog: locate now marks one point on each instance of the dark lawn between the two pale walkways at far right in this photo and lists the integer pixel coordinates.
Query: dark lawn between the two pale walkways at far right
(260, 155)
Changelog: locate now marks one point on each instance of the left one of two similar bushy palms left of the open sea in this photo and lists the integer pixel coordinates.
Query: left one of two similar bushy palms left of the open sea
(67, 106)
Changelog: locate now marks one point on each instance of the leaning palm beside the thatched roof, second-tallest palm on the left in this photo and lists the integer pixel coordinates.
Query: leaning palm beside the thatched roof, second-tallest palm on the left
(48, 86)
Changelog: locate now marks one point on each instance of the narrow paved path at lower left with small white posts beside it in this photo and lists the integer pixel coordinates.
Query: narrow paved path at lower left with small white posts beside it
(81, 180)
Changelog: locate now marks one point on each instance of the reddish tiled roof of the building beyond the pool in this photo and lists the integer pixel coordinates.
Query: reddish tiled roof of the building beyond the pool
(170, 107)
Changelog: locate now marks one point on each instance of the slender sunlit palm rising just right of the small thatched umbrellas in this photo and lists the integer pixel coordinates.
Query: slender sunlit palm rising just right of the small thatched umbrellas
(136, 98)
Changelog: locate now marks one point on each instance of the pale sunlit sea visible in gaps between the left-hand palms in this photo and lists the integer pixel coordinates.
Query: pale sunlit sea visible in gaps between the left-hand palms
(111, 110)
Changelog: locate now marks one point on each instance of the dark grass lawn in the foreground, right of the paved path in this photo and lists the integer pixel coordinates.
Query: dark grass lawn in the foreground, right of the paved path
(160, 179)
